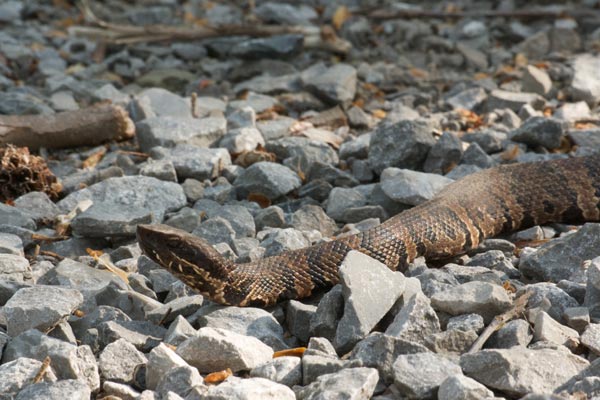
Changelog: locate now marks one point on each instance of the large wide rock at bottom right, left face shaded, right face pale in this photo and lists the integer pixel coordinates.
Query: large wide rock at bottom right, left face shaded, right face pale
(518, 371)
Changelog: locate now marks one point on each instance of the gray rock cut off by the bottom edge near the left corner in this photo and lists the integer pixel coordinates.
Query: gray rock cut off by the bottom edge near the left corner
(64, 389)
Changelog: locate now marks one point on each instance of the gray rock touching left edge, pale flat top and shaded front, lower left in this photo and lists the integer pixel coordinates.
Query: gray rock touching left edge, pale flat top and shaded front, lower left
(40, 307)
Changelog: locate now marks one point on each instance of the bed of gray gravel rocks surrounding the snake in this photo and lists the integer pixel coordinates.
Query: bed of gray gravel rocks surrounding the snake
(264, 144)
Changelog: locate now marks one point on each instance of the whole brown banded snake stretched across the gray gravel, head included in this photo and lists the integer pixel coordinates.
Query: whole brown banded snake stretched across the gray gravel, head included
(458, 218)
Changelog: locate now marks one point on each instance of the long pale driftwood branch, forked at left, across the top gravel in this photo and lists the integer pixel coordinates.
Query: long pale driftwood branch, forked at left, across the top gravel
(323, 39)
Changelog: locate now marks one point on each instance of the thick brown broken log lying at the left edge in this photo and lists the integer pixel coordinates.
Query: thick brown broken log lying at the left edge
(86, 127)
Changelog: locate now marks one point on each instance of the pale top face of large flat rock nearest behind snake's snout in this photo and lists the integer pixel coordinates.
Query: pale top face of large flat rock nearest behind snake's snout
(135, 191)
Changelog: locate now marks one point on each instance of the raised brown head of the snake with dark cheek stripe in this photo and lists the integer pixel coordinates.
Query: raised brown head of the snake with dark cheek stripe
(188, 257)
